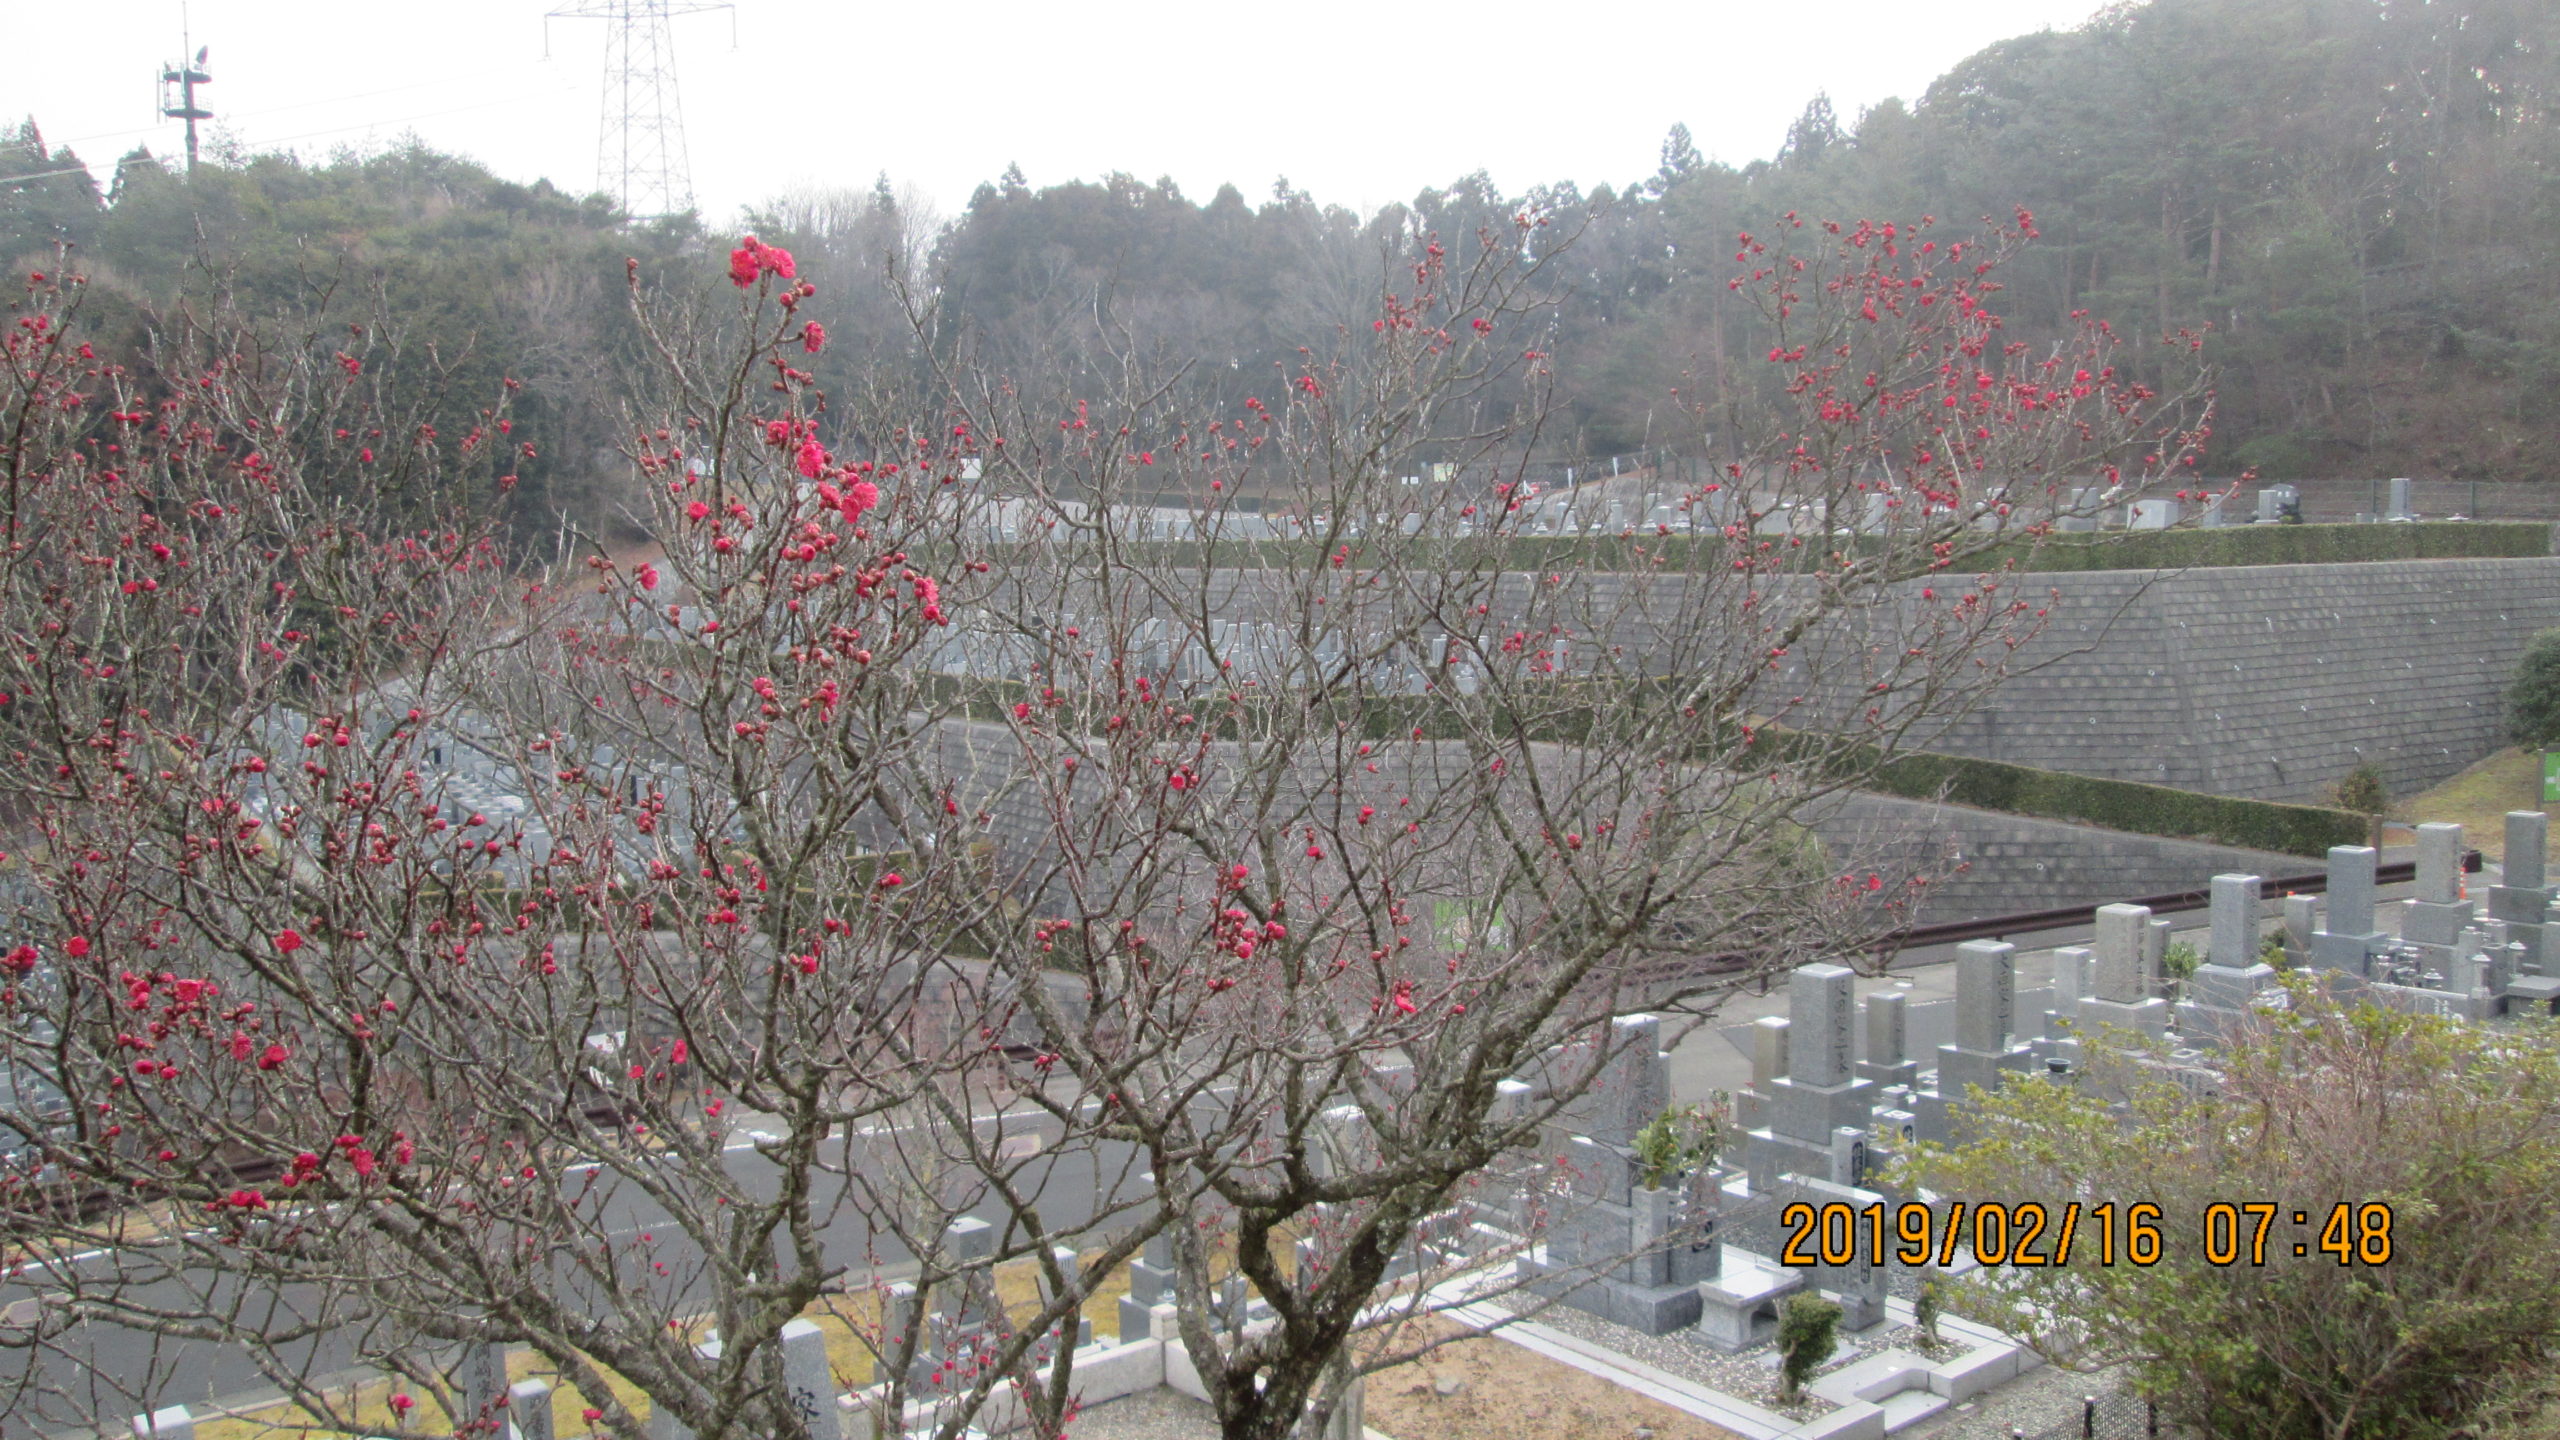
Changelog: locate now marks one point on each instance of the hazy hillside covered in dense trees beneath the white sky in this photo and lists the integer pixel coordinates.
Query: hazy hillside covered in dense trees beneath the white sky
(2356, 201)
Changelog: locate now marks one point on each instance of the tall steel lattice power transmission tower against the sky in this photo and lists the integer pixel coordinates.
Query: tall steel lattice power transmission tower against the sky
(641, 142)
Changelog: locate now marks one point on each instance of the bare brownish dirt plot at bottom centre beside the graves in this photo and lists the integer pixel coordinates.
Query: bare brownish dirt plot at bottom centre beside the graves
(1491, 1387)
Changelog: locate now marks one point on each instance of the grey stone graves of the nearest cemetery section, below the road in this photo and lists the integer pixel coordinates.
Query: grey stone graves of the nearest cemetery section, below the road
(1604, 1244)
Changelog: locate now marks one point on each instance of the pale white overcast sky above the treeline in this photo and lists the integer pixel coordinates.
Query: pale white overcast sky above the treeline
(1353, 101)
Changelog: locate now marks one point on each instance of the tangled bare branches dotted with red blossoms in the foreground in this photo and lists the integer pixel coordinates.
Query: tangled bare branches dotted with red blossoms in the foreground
(972, 849)
